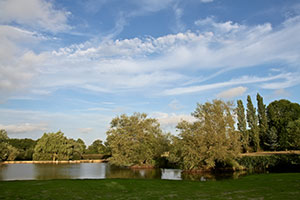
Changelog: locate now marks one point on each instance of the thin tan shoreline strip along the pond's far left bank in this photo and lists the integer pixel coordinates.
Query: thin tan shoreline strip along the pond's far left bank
(53, 162)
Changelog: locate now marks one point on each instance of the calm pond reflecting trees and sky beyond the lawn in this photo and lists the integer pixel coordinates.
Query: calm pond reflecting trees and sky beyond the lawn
(98, 171)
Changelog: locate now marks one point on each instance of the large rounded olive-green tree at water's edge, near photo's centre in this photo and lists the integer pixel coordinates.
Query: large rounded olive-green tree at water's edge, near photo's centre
(135, 140)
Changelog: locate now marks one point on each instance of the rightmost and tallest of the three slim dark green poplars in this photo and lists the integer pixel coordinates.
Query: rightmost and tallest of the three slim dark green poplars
(262, 120)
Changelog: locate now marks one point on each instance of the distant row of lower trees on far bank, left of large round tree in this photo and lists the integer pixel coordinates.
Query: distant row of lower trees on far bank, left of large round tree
(51, 146)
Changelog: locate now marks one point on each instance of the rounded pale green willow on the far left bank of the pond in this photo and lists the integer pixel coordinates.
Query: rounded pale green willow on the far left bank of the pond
(53, 146)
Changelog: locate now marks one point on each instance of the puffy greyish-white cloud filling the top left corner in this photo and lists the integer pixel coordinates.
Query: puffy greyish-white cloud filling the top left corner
(34, 13)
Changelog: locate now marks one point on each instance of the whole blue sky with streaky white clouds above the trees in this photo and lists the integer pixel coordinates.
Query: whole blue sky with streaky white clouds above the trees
(74, 65)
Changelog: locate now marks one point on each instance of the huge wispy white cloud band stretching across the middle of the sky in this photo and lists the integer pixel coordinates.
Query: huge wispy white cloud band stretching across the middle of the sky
(169, 61)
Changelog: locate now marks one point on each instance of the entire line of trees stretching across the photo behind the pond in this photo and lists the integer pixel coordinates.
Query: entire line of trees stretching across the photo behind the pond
(215, 139)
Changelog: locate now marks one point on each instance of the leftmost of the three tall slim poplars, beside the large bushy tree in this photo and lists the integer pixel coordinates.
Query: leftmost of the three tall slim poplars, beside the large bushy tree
(242, 126)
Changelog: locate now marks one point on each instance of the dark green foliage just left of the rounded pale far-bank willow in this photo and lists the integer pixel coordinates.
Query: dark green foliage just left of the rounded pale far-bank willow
(25, 147)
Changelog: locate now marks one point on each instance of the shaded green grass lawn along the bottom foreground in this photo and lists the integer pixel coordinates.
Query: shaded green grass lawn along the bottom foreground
(264, 186)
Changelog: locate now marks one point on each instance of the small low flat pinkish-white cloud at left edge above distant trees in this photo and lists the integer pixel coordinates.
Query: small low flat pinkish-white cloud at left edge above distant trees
(24, 128)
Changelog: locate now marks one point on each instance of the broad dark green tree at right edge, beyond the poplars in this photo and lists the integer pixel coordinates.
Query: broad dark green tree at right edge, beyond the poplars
(283, 116)
